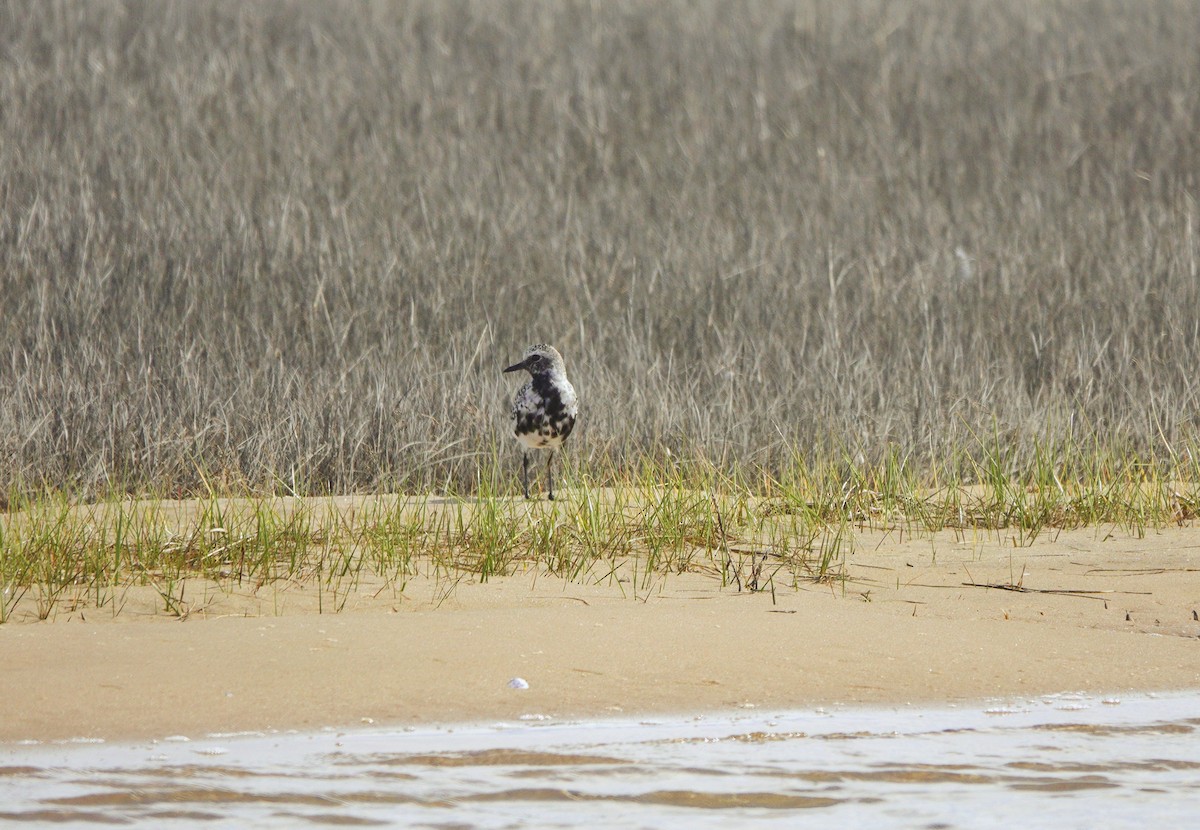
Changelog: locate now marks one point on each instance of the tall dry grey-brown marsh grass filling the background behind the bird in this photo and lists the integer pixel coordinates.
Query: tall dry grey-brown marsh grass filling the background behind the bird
(290, 245)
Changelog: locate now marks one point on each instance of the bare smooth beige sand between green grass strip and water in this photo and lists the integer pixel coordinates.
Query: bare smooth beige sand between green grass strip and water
(902, 628)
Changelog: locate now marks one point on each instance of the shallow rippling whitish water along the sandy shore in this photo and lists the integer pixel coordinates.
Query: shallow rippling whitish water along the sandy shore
(1055, 762)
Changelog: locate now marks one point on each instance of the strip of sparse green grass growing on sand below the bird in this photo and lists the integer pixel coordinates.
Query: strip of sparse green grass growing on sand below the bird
(59, 557)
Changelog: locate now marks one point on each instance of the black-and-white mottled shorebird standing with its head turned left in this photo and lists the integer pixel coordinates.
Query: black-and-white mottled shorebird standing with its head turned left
(544, 411)
